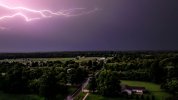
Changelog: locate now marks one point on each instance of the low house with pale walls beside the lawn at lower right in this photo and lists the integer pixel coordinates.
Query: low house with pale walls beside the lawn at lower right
(133, 89)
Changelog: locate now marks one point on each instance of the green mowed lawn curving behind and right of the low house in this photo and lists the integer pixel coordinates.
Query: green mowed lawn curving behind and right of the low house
(154, 89)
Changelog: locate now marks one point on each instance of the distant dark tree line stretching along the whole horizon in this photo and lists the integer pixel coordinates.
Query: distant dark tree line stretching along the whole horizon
(120, 54)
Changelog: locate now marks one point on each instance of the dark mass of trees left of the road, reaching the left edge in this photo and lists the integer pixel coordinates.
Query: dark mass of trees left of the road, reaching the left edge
(48, 82)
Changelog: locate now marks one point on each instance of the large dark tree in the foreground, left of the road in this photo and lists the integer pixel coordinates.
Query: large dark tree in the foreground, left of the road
(50, 85)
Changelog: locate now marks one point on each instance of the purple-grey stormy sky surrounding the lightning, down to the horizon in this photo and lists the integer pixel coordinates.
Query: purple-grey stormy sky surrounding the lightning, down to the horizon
(115, 25)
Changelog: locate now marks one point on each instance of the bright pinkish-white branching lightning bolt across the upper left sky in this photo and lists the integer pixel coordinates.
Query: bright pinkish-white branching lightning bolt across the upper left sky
(20, 11)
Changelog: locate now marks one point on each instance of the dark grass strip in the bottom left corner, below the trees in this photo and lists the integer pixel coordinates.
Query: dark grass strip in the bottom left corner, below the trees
(4, 96)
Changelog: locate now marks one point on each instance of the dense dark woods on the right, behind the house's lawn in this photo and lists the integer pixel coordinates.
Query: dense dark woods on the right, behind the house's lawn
(161, 68)
